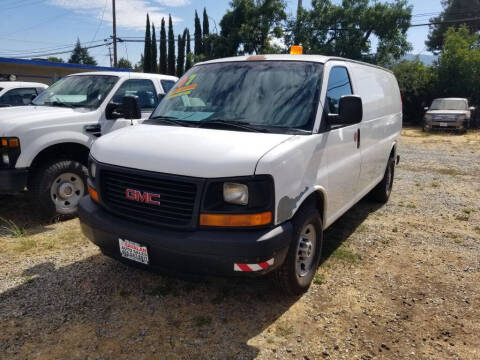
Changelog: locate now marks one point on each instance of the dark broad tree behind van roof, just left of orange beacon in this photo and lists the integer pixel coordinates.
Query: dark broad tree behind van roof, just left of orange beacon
(249, 26)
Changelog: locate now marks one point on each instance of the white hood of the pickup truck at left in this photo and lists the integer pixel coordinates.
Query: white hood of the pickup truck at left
(17, 118)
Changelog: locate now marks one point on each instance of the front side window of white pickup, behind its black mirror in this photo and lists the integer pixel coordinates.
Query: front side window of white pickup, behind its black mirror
(143, 89)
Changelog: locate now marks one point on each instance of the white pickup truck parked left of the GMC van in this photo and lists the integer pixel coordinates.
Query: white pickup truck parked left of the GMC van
(44, 147)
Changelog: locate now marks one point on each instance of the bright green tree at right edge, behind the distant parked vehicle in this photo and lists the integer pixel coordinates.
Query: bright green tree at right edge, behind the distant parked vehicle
(458, 69)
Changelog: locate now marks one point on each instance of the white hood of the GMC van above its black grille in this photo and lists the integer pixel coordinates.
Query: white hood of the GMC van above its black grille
(206, 153)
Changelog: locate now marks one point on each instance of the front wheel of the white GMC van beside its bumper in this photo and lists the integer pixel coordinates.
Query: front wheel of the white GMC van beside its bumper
(296, 273)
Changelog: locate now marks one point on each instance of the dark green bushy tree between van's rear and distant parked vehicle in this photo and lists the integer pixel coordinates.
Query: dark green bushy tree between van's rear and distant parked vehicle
(416, 83)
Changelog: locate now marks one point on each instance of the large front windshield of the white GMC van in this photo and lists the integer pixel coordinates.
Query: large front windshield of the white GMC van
(273, 95)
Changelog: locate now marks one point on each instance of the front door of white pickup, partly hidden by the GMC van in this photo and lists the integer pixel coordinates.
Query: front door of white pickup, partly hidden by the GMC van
(147, 95)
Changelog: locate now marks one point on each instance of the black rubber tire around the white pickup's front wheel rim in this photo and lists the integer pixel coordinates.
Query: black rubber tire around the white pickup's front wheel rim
(42, 182)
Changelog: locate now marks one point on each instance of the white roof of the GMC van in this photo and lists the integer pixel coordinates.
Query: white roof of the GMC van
(287, 57)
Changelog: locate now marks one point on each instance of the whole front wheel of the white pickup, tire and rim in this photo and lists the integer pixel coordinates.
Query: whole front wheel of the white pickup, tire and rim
(58, 186)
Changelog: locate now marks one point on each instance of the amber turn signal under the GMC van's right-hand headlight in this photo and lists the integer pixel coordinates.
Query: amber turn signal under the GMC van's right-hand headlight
(243, 220)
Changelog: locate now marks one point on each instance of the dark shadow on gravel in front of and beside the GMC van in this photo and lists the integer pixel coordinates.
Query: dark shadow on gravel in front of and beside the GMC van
(99, 307)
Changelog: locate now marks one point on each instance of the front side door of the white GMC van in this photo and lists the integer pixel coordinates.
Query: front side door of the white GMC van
(343, 153)
